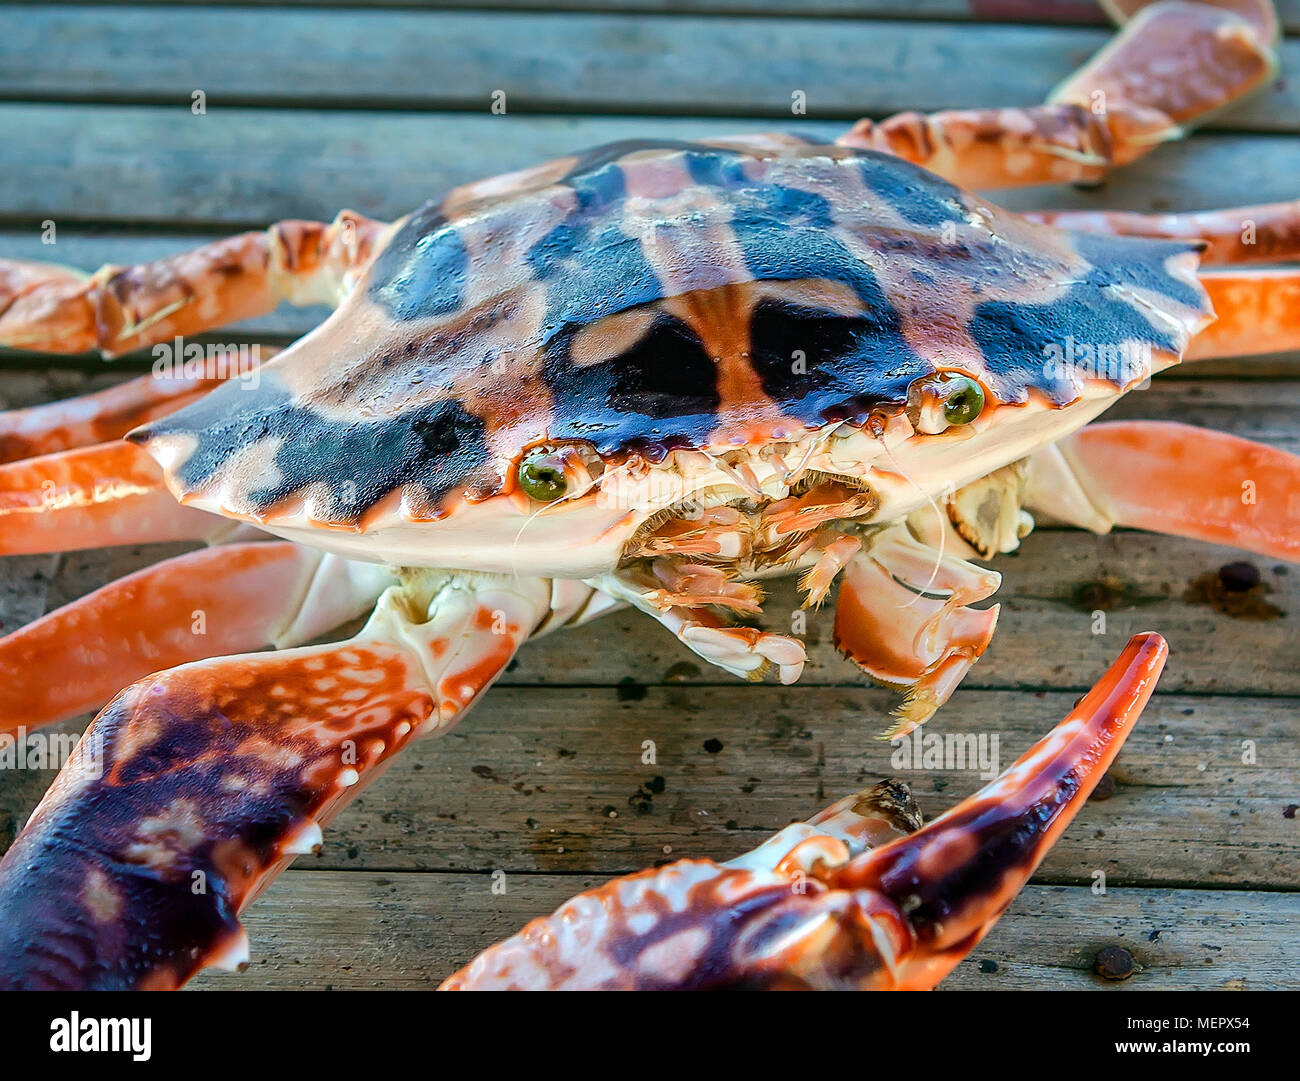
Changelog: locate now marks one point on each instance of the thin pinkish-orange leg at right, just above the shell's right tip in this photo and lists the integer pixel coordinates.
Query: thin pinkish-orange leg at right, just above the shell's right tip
(1269, 233)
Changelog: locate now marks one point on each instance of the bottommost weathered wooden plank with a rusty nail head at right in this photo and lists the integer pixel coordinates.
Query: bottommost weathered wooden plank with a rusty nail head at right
(353, 932)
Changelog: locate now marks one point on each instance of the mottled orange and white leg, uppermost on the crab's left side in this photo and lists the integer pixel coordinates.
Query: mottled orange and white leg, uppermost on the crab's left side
(58, 310)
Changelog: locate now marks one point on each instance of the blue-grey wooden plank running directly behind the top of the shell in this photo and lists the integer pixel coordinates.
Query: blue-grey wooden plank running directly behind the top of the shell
(236, 168)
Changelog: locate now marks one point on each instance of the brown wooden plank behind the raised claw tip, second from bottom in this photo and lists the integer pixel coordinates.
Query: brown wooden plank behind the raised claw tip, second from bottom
(553, 780)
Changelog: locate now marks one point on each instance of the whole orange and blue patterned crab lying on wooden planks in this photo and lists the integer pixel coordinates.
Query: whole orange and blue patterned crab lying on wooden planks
(653, 375)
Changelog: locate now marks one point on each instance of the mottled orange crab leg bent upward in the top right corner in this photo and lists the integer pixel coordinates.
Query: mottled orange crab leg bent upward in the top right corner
(1171, 67)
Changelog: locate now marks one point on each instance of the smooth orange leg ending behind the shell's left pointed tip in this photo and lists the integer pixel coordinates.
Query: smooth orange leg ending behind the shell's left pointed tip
(94, 497)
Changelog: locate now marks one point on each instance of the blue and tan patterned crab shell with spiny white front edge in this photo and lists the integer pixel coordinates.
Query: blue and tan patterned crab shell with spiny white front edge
(670, 310)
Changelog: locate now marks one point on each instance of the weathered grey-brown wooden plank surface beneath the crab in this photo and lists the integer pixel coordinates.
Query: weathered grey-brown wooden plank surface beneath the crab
(545, 780)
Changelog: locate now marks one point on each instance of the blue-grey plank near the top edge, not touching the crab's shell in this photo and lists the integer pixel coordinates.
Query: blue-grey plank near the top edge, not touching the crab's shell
(548, 63)
